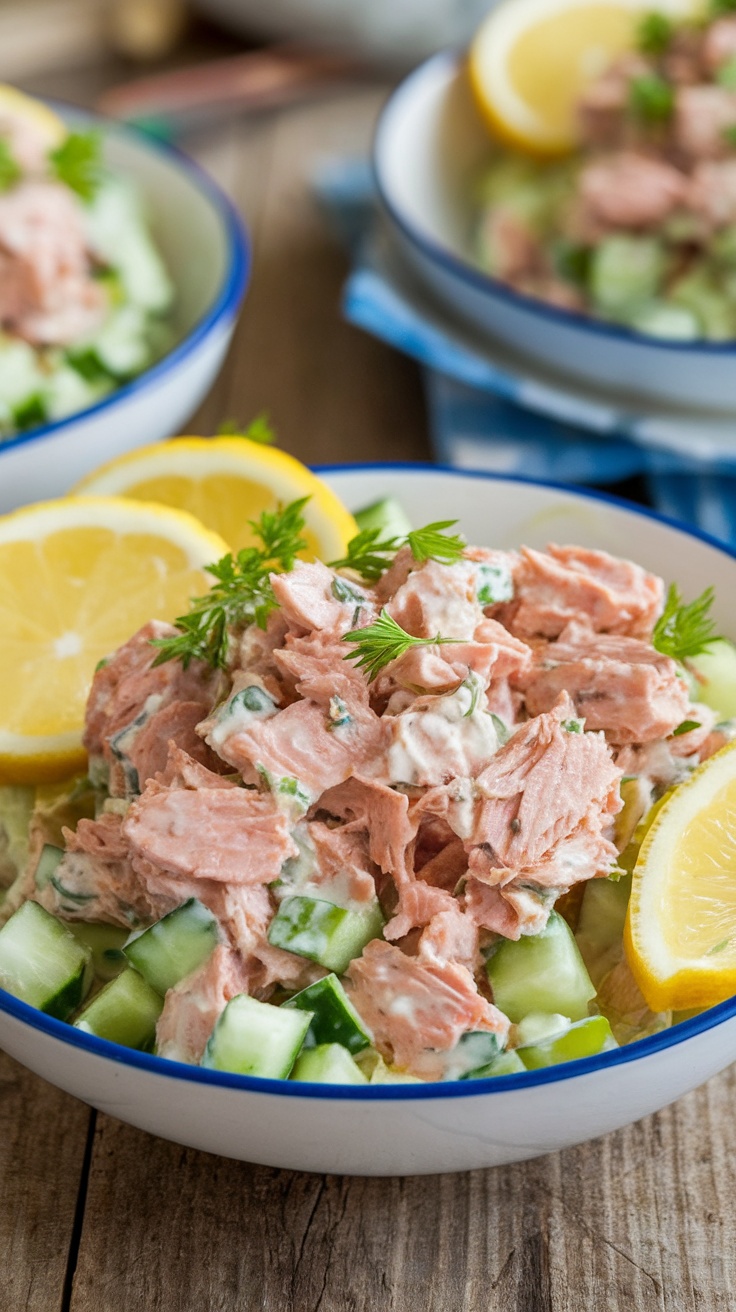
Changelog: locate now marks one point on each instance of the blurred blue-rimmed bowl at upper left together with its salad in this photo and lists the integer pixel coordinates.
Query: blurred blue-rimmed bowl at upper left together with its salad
(124, 268)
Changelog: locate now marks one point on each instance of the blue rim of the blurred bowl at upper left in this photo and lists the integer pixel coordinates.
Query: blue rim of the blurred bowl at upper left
(224, 305)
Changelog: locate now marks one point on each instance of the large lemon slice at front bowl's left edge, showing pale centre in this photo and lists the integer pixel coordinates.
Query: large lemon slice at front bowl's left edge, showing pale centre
(78, 578)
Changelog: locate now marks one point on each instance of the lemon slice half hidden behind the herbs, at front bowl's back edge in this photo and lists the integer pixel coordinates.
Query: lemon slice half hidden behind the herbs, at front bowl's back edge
(226, 482)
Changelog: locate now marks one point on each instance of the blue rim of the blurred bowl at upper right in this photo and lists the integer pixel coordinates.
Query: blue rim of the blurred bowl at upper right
(473, 275)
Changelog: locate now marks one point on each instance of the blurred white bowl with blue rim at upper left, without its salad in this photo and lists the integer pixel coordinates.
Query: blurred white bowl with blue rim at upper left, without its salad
(207, 253)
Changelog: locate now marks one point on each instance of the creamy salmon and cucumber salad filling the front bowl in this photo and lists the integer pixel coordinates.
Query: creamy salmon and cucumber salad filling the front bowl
(365, 822)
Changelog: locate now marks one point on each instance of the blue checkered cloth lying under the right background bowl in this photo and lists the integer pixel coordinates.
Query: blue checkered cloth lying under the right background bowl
(489, 413)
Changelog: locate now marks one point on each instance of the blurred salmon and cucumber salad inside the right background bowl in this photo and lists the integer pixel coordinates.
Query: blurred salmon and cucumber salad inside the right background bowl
(640, 226)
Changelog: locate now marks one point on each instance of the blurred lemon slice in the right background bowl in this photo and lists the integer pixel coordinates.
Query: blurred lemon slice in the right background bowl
(531, 61)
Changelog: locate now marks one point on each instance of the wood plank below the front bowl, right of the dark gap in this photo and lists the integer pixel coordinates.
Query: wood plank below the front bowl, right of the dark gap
(641, 1220)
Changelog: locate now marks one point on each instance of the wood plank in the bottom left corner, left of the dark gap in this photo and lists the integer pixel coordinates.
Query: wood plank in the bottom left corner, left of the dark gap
(43, 1149)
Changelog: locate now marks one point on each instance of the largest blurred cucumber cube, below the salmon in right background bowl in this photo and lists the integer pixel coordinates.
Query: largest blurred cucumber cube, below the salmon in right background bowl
(626, 272)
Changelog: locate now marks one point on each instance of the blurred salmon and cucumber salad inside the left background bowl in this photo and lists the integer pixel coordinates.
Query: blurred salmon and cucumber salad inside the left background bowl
(85, 296)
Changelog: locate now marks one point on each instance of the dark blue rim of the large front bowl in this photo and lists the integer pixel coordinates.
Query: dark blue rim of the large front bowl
(636, 1052)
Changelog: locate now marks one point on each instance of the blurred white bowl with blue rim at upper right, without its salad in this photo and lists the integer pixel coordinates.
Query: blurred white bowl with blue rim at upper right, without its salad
(430, 149)
